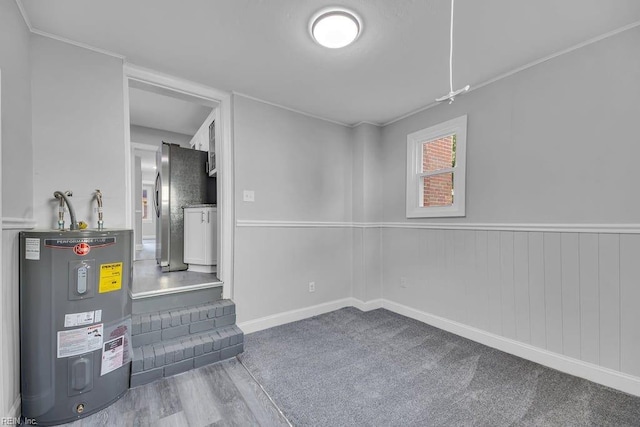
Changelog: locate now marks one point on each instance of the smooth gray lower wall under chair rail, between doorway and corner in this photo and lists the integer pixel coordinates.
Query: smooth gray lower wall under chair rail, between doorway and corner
(273, 268)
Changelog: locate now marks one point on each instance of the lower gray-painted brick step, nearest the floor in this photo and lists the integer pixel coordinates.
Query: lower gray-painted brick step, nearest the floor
(167, 358)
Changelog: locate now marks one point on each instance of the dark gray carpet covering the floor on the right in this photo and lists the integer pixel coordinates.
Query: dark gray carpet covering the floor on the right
(378, 368)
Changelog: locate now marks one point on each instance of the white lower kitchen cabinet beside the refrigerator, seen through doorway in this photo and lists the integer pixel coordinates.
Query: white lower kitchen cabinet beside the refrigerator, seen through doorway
(200, 238)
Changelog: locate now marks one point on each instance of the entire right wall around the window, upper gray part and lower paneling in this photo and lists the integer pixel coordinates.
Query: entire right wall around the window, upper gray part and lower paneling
(553, 144)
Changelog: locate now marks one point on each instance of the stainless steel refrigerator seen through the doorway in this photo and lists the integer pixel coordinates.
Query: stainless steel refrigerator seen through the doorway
(182, 180)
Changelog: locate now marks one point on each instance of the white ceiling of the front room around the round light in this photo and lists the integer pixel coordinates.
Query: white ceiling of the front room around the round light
(262, 48)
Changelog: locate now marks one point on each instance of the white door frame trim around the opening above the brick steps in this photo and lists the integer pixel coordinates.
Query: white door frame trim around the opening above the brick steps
(224, 158)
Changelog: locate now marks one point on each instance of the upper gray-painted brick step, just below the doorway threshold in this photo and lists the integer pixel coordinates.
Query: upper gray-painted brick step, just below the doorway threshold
(151, 328)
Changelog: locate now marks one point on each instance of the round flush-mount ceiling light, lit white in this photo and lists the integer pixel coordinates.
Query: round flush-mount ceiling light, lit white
(335, 28)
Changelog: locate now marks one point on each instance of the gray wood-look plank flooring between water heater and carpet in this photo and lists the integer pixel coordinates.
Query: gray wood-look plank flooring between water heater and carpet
(222, 394)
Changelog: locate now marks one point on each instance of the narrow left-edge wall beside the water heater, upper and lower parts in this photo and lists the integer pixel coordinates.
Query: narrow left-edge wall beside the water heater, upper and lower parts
(16, 190)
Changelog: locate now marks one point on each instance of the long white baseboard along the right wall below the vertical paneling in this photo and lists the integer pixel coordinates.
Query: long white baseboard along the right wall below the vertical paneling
(598, 374)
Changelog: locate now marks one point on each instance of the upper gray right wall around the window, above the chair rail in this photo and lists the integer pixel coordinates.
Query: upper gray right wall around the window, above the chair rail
(556, 143)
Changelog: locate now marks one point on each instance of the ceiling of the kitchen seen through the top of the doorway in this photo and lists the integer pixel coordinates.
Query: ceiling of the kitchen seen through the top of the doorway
(157, 111)
